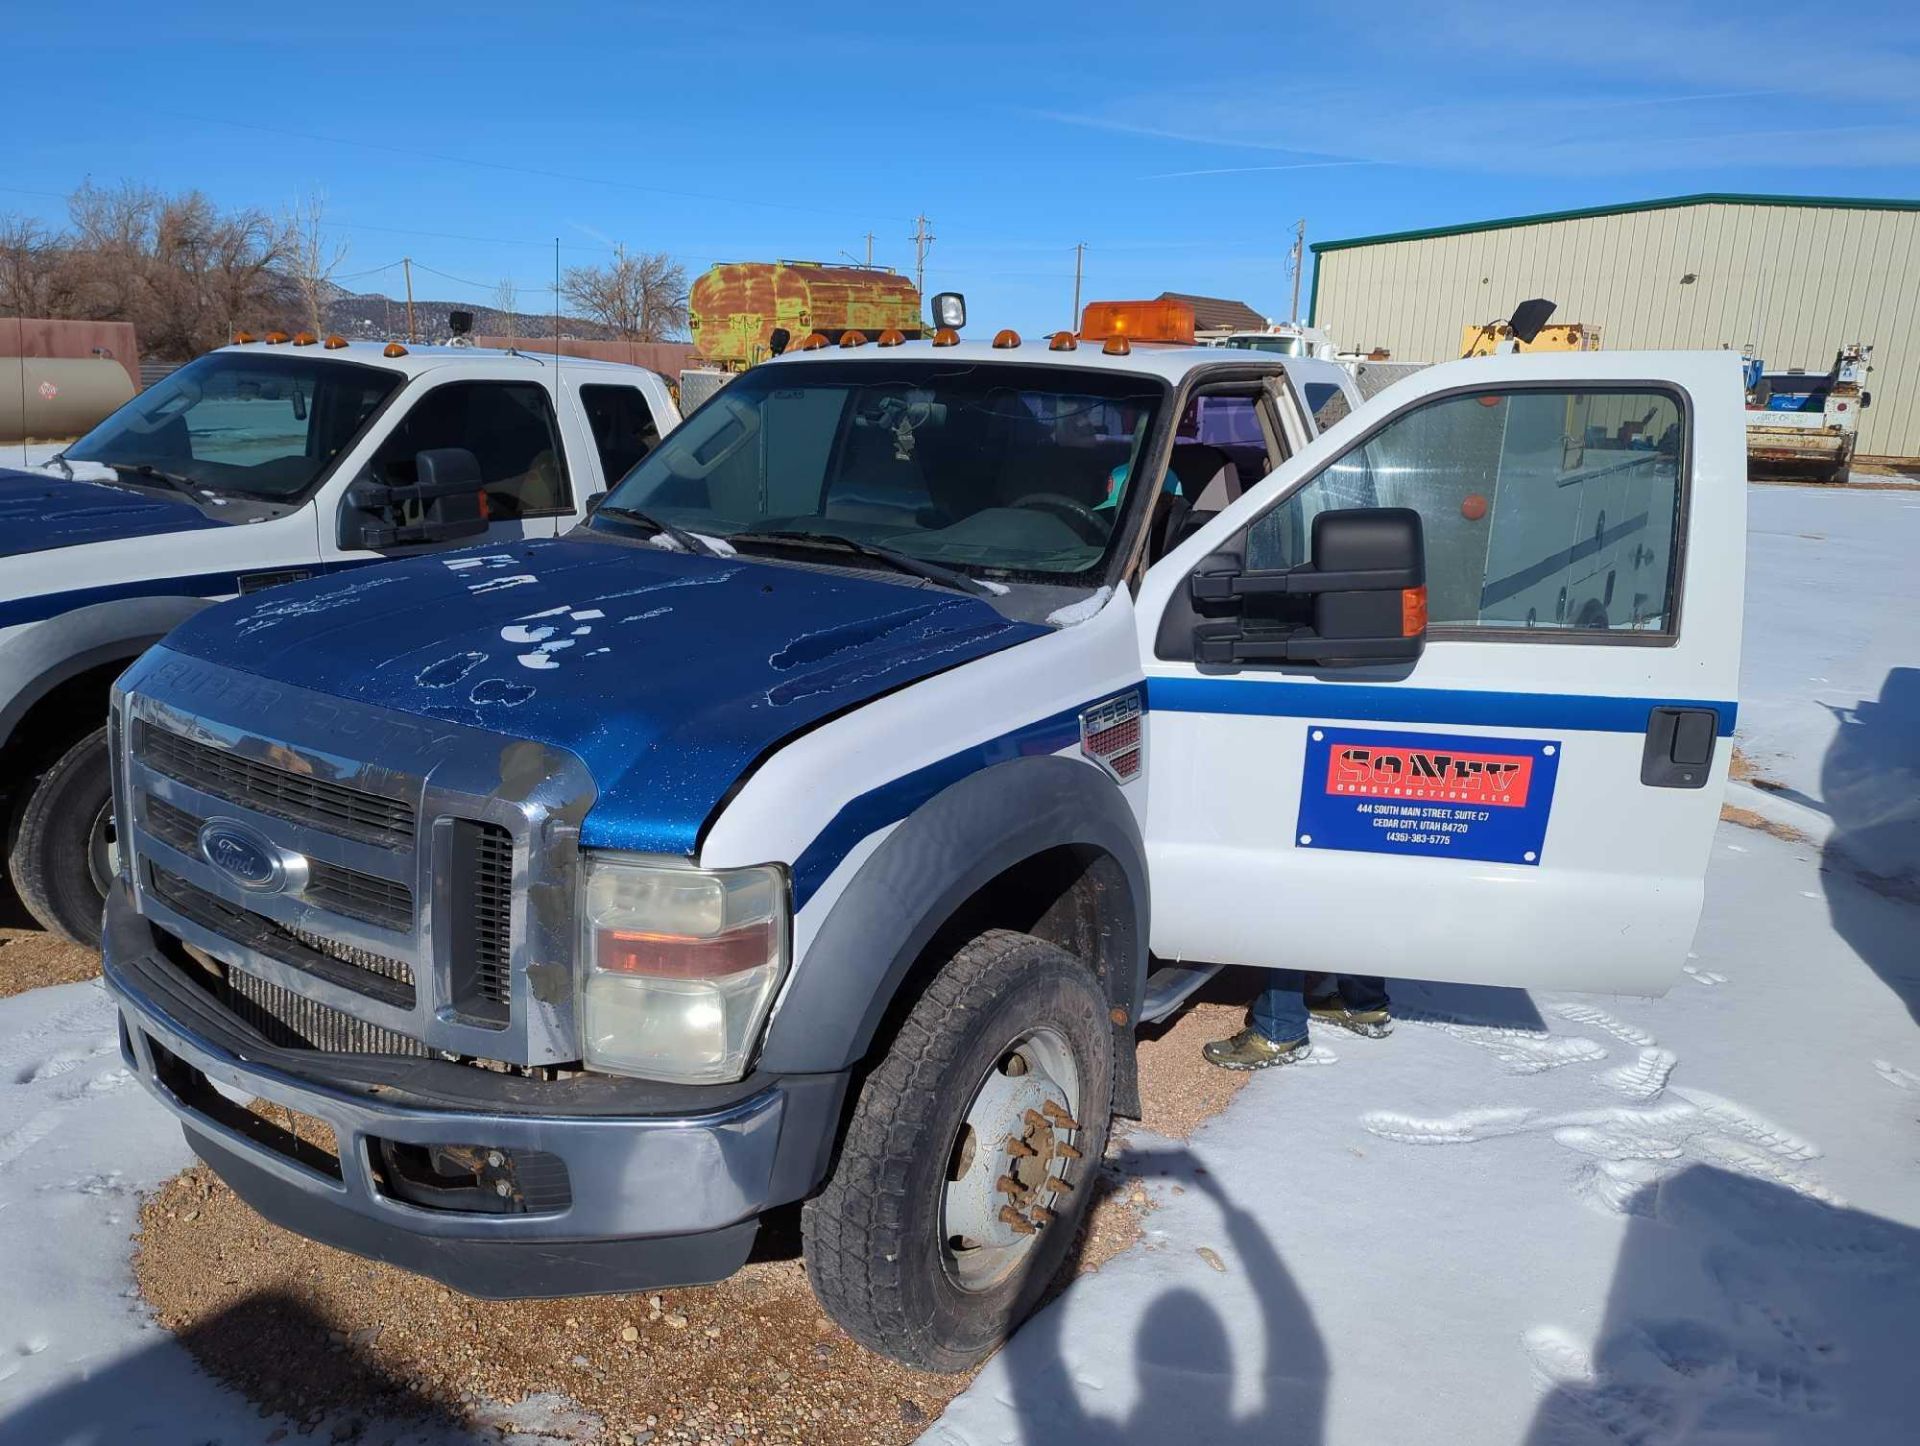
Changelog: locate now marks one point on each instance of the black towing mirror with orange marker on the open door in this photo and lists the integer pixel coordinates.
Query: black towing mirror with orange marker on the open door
(1362, 598)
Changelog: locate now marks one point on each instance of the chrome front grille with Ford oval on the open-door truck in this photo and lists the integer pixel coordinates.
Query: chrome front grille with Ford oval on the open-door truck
(420, 877)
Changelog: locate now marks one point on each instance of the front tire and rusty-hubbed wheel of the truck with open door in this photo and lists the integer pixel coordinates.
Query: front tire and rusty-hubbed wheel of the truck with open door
(969, 1165)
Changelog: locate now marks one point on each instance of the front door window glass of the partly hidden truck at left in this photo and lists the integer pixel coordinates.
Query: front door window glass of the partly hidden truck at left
(510, 431)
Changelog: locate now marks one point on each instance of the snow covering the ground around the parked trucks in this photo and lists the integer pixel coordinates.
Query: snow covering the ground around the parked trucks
(1547, 1220)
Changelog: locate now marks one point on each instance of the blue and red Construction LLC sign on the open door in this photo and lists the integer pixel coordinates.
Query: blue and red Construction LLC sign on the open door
(1445, 796)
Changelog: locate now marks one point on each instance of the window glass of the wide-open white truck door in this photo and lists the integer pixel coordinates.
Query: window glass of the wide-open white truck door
(1541, 508)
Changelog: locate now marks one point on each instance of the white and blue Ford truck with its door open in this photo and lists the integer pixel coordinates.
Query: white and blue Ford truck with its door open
(813, 829)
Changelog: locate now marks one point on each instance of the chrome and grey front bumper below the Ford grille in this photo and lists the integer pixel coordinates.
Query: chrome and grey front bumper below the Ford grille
(650, 1197)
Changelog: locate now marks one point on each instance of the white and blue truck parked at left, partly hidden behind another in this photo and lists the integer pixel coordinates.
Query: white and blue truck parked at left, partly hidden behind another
(262, 464)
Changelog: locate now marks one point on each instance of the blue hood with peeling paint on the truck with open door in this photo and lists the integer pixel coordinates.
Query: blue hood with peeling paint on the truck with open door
(667, 675)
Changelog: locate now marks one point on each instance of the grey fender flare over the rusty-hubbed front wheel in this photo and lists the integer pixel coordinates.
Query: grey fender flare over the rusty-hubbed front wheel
(923, 875)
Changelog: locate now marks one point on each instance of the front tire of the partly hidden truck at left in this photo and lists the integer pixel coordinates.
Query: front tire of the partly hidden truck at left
(60, 856)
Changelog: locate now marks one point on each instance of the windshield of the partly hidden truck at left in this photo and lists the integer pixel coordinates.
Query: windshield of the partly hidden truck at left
(247, 423)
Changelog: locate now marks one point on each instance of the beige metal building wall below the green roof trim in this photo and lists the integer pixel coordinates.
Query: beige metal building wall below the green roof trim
(1796, 281)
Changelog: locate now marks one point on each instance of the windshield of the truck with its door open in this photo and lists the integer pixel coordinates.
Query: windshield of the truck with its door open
(980, 468)
